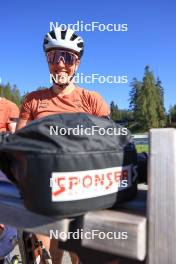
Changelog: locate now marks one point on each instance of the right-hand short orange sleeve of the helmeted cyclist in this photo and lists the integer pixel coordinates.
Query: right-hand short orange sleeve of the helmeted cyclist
(99, 106)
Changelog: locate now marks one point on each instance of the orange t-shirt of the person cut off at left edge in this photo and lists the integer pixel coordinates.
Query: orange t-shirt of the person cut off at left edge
(9, 112)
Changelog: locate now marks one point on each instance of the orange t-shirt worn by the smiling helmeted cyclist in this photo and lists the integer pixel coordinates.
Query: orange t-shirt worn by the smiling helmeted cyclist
(45, 102)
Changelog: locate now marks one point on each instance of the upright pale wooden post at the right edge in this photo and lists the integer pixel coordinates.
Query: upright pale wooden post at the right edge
(162, 197)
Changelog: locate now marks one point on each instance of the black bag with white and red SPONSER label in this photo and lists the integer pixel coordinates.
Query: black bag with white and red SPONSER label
(62, 171)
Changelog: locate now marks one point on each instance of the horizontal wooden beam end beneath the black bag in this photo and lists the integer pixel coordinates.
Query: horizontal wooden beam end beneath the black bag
(116, 222)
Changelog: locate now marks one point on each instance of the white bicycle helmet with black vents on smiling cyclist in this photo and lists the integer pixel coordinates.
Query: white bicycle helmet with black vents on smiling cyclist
(67, 39)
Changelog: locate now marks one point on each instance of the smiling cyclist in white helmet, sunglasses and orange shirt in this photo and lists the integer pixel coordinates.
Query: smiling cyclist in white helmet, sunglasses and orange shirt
(63, 50)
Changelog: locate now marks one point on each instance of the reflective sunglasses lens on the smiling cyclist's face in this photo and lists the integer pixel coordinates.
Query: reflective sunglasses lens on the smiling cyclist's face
(54, 57)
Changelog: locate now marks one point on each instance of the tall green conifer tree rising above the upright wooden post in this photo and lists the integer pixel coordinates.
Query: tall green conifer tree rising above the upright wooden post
(147, 101)
